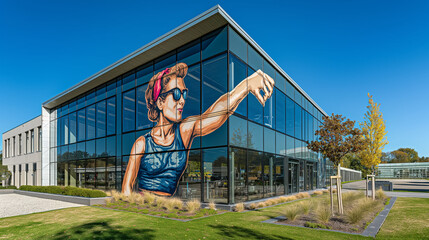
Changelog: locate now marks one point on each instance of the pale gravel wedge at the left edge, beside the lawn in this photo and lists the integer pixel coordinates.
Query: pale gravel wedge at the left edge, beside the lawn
(16, 204)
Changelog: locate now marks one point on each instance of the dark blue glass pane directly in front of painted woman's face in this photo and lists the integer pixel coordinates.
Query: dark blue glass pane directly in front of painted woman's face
(193, 83)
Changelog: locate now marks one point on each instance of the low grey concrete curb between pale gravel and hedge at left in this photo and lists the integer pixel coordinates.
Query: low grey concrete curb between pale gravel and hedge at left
(65, 198)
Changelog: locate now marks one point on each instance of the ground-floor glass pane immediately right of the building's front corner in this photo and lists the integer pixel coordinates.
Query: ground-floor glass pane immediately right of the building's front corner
(239, 162)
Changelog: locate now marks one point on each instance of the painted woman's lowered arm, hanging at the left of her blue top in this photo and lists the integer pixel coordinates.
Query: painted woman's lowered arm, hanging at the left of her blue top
(133, 165)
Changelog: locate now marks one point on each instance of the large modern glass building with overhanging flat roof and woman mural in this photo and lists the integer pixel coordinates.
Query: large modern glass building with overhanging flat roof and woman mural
(255, 151)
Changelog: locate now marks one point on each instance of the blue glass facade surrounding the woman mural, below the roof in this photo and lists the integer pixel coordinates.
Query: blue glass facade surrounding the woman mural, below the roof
(258, 152)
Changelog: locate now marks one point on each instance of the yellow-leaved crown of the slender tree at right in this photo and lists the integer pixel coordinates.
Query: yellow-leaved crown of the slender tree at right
(374, 134)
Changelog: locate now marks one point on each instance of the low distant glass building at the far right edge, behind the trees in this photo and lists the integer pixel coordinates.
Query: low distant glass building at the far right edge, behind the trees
(403, 170)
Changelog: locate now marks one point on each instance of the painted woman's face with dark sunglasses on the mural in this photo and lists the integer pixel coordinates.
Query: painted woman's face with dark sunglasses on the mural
(172, 106)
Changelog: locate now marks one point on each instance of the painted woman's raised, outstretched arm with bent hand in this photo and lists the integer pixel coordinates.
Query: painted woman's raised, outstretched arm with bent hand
(209, 121)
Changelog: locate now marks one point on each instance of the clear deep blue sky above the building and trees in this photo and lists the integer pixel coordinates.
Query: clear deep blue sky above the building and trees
(337, 51)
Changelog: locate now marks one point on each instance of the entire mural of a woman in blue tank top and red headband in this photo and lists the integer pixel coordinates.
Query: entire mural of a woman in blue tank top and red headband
(166, 97)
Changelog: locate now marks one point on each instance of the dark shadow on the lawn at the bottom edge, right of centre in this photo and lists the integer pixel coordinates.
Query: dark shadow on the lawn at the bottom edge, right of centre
(236, 232)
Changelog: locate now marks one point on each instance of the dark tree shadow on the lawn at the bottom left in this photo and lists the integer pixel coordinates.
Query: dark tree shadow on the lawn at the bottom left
(103, 230)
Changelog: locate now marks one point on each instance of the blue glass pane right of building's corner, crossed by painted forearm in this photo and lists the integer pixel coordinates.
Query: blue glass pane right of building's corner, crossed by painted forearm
(237, 74)
